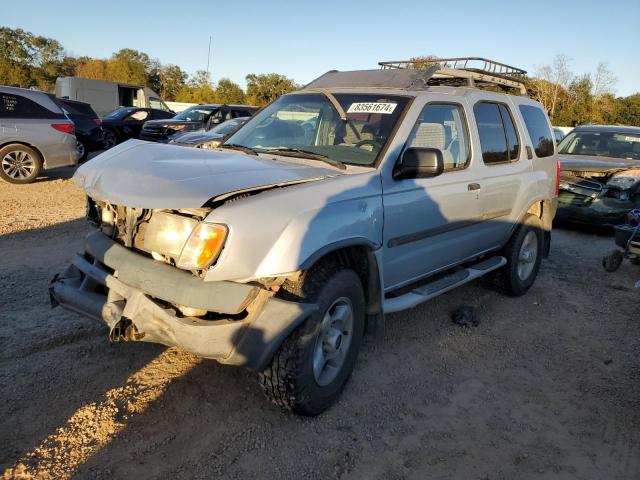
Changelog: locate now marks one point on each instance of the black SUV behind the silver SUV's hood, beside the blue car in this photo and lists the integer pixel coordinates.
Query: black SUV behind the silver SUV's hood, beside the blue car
(193, 118)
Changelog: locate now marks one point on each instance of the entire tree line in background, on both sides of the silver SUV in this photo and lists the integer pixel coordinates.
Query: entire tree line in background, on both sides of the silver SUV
(28, 60)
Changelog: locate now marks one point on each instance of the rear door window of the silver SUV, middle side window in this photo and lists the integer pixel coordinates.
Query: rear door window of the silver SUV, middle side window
(498, 135)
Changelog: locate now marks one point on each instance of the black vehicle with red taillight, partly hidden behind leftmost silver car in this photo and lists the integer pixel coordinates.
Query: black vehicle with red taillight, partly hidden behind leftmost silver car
(89, 133)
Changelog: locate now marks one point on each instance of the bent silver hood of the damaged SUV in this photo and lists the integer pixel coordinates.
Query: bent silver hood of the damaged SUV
(151, 175)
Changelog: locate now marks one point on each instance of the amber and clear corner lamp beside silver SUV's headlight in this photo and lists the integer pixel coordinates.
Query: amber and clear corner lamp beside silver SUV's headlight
(203, 247)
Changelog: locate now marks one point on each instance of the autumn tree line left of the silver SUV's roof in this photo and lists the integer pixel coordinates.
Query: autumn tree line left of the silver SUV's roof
(28, 60)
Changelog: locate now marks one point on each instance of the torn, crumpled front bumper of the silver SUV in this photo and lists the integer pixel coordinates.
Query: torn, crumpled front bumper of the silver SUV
(140, 298)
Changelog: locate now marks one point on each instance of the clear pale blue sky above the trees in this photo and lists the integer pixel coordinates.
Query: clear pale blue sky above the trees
(303, 39)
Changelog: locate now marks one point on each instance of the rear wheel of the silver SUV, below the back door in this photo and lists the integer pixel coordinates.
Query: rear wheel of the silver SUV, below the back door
(524, 255)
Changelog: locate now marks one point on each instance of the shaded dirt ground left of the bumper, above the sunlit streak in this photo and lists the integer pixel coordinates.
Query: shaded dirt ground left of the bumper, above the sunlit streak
(44, 351)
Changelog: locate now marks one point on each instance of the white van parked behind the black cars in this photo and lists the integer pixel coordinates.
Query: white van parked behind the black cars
(105, 96)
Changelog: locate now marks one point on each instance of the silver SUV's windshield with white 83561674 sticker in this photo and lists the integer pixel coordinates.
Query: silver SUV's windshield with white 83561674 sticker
(311, 123)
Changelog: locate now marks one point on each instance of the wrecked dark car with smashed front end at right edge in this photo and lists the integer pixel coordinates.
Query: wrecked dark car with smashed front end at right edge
(600, 174)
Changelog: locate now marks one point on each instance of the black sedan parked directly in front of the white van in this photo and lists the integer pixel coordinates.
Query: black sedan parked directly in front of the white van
(126, 122)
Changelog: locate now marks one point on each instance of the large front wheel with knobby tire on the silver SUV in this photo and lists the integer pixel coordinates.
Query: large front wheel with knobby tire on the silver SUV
(312, 366)
